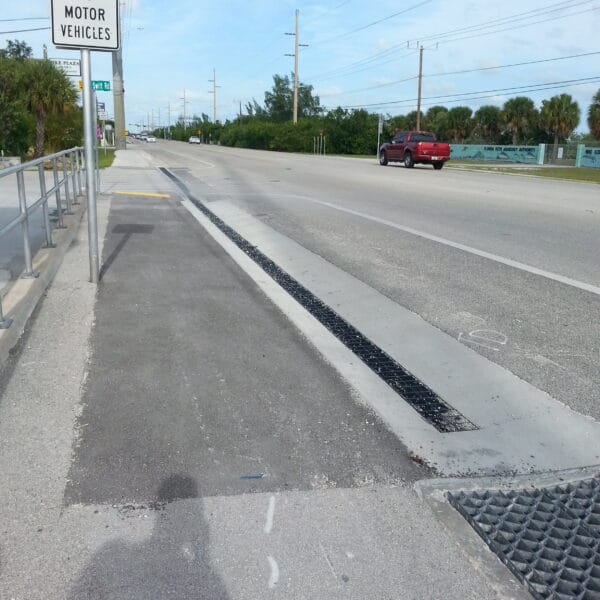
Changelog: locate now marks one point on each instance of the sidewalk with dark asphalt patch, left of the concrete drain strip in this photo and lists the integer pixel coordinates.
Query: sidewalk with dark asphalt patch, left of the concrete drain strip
(170, 434)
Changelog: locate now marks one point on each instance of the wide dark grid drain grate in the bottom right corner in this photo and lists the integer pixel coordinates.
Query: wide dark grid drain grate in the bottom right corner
(548, 537)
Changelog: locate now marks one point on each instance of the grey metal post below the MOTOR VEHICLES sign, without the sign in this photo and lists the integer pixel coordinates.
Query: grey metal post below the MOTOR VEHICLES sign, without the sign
(90, 134)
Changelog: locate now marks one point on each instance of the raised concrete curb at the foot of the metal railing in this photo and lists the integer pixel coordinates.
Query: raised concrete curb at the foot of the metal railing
(23, 295)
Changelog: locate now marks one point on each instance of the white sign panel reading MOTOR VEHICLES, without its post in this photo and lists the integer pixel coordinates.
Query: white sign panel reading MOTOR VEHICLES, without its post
(85, 24)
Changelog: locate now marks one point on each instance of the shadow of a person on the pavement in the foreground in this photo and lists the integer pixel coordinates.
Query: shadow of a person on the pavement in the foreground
(173, 563)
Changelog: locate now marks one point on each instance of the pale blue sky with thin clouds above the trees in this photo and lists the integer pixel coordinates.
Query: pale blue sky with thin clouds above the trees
(360, 53)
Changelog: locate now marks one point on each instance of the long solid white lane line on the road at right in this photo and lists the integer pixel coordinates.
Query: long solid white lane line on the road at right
(495, 257)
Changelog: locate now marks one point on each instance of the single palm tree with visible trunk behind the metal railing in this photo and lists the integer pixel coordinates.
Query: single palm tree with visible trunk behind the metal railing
(48, 91)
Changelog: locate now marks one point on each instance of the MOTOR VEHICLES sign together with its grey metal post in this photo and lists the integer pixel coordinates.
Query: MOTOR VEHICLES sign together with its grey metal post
(87, 25)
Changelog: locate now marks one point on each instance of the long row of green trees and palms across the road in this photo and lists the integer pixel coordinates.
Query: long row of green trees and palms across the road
(269, 126)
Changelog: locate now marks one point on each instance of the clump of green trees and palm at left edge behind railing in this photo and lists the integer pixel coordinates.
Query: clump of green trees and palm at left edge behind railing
(38, 109)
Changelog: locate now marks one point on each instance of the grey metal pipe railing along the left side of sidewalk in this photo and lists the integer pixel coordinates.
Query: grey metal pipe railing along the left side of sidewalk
(67, 167)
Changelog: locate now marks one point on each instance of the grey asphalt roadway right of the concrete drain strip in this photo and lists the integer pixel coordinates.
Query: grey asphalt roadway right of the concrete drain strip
(379, 224)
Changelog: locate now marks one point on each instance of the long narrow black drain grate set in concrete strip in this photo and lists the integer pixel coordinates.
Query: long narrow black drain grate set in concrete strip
(425, 401)
